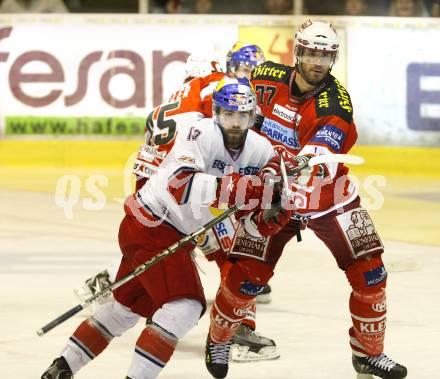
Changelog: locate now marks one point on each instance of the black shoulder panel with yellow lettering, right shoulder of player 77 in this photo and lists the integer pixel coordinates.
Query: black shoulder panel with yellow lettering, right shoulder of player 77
(334, 100)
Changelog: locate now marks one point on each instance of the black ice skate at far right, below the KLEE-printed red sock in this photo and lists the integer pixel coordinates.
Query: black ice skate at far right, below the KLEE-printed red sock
(378, 365)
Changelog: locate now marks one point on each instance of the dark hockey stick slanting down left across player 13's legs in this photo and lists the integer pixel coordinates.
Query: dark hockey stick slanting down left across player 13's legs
(137, 271)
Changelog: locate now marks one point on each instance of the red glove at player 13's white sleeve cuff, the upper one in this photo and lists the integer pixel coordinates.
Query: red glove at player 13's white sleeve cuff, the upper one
(235, 189)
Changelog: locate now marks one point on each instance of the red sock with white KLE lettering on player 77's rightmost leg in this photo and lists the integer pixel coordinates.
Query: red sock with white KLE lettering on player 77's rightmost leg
(367, 306)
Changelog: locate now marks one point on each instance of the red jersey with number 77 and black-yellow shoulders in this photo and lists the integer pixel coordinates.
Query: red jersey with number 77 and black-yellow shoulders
(319, 122)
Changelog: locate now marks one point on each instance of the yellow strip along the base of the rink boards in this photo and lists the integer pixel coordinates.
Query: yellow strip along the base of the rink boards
(392, 160)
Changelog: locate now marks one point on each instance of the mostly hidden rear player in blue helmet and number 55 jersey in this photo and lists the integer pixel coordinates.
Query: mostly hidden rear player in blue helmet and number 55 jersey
(190, 103)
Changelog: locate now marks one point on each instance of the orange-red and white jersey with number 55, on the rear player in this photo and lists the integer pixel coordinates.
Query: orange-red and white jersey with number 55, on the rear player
(189, 104)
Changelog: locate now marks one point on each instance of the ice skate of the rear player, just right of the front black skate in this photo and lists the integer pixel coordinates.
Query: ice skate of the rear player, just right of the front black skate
(248, 346)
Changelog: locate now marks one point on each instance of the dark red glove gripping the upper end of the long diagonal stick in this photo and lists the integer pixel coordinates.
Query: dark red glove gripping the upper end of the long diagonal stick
(270, 221)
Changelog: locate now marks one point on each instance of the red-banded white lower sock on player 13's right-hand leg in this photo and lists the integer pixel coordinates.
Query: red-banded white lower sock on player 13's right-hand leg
(153, 350)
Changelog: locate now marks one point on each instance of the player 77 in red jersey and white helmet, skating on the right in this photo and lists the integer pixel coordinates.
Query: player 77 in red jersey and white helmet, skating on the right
(304, 111)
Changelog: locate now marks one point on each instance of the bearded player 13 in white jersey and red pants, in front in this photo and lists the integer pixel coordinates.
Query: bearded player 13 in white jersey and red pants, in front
(205, 167)
